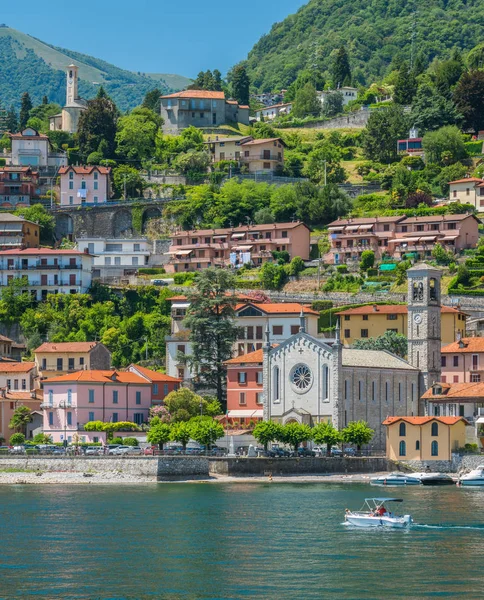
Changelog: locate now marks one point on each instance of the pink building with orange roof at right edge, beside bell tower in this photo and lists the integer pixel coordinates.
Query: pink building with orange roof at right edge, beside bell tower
(463, 361)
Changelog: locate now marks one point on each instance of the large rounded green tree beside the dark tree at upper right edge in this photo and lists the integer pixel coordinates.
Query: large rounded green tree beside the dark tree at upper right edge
(430, 110)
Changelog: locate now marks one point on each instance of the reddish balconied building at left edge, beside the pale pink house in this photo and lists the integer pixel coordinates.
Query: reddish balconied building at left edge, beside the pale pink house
(18, 186)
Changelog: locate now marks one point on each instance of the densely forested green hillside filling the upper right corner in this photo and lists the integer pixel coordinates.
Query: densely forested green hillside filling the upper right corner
(373, 32)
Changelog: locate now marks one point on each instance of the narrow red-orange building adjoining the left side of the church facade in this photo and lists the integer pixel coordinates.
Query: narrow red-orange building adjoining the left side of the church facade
(244, 388)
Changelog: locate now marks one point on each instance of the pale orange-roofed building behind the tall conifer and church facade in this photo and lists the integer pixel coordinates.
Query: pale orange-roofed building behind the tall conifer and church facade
(252, 319)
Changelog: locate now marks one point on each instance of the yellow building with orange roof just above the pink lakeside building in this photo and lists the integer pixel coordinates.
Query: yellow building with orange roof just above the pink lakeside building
(53, 359)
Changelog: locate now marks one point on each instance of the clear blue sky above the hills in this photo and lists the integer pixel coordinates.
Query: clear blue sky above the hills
(152, 36)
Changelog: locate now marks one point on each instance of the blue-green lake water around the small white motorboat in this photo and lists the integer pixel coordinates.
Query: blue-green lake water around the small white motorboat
(224, 541)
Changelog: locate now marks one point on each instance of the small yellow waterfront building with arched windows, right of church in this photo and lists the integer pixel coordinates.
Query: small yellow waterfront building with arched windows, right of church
(424, 438)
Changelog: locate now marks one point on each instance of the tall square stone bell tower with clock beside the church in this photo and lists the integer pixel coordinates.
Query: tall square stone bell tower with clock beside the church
(424, 323)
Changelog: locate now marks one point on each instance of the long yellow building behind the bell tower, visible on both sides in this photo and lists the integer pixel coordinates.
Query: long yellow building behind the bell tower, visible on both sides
(374, 320)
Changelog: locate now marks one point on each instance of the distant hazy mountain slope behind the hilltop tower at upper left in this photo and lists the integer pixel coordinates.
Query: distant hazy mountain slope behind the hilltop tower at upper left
(28, 64)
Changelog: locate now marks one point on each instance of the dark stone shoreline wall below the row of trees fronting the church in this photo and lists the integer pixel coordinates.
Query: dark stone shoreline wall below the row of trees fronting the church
(245, 466)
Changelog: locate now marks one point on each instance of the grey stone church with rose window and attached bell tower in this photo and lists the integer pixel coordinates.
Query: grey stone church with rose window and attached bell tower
(308, 379)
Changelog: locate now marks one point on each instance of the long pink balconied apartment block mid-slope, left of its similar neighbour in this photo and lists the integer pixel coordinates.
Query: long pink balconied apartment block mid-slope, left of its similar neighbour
(202, 248)
